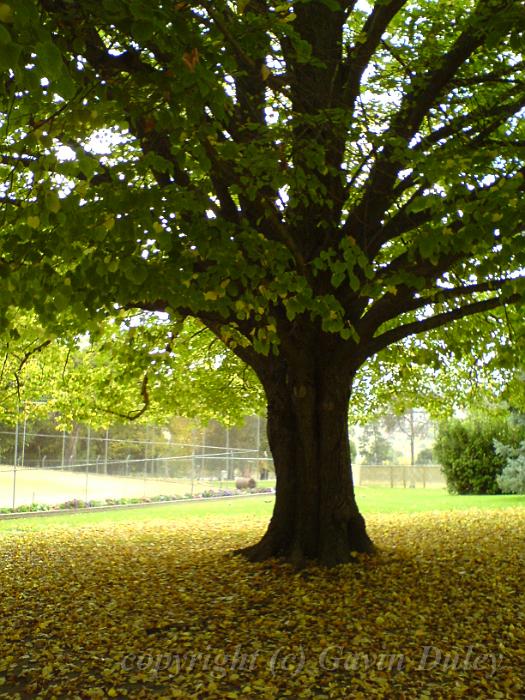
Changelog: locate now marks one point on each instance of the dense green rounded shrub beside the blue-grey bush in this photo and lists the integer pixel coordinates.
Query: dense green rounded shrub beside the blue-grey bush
(466, 452)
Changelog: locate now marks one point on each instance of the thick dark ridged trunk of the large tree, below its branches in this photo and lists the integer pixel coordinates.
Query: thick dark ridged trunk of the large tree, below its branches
(315, 517)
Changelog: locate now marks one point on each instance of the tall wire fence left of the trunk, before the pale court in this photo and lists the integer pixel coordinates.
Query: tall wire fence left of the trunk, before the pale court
(56, 468)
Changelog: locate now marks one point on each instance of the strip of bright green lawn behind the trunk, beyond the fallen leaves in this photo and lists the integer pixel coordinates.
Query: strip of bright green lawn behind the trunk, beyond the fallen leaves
(372, 500)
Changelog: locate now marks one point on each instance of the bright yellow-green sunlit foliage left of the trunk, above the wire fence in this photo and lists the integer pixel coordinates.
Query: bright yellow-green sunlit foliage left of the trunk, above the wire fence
(128, 370)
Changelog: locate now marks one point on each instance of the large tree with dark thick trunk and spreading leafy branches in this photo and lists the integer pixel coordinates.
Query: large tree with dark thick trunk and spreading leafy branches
(314, 181)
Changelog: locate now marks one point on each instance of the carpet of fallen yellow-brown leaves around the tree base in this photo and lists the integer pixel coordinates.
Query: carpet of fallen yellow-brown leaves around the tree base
(153, 609)
